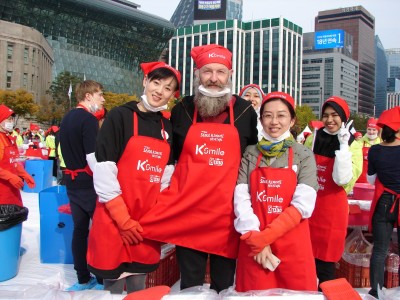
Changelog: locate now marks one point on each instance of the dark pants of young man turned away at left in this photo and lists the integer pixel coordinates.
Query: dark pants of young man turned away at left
(83, 203)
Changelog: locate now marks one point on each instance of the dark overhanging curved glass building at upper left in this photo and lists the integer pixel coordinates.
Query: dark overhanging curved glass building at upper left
(103, 40)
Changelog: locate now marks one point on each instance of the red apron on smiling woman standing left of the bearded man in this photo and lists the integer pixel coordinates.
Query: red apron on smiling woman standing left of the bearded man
(140, 169)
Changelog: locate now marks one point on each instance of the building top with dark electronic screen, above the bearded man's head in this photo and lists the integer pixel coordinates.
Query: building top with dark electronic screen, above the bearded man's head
(186, 10)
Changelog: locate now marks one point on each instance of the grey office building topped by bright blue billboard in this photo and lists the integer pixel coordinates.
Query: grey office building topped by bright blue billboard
(328, 70)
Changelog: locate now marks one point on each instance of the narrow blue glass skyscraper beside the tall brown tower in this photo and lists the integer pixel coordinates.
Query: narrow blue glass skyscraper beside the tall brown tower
(381, 76)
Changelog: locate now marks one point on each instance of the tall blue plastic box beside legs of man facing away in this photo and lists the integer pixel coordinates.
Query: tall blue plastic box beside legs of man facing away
(55, 227)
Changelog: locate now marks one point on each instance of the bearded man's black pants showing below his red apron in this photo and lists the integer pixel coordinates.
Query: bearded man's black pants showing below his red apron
(192, 265)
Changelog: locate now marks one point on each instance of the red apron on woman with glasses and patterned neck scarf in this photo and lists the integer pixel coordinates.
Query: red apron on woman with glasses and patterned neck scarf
(271, 192)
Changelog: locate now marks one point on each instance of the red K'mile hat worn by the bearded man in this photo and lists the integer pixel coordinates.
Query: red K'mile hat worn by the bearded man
(213, 53)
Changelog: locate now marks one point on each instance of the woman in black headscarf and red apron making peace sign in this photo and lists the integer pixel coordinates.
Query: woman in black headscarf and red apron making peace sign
(339, 164)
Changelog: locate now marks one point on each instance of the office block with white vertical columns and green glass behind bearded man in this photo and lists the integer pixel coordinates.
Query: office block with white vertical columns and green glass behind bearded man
(265, 52)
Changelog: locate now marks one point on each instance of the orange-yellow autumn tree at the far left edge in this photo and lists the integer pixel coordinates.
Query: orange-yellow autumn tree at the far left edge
(20, 101)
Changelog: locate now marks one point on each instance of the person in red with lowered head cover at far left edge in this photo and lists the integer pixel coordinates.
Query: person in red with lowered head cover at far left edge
(12, 173)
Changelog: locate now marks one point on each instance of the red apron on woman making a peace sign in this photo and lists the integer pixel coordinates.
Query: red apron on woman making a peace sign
(328, 223)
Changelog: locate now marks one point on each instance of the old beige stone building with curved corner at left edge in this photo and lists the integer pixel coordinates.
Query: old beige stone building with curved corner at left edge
(26, 60)
